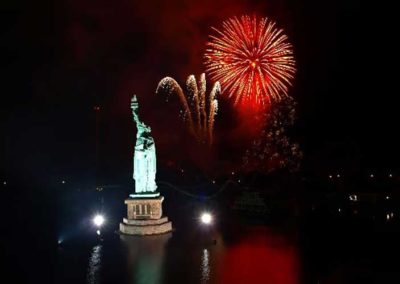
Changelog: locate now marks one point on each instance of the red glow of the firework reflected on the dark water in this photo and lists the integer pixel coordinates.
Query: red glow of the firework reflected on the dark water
(260, 257)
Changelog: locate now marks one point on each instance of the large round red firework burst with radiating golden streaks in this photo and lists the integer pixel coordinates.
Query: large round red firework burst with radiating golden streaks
(252, 60)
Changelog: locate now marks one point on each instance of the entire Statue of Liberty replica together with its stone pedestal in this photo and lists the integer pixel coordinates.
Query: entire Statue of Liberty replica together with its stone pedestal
(145, 205)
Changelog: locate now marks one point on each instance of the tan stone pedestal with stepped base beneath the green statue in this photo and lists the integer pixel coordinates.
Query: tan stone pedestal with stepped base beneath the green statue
(145, 217)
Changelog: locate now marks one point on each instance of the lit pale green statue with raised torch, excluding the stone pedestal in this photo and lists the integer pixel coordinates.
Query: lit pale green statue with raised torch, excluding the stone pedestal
(144, 161)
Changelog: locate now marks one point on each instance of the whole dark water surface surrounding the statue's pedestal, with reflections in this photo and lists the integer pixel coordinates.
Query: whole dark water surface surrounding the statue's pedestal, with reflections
(44, 241)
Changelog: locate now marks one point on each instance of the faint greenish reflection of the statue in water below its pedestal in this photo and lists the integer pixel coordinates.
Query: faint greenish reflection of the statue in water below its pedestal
(145, 258)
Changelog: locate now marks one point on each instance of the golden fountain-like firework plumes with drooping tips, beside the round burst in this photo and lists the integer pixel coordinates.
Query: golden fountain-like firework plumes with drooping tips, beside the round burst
(198, 112)
